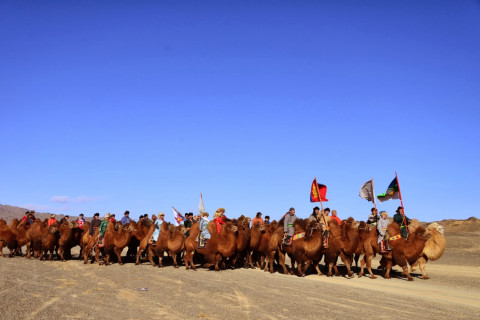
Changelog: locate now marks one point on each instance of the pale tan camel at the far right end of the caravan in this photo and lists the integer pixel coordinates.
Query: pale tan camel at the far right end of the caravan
(434, 248)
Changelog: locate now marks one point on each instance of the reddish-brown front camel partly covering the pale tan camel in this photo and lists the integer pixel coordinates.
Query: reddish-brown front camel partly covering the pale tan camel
(403, 251)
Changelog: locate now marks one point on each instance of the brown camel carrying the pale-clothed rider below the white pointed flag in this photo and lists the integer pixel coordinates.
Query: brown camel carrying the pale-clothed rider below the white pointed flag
(219, 247)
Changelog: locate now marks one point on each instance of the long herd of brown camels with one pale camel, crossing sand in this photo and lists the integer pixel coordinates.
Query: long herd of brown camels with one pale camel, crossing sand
(237, 245)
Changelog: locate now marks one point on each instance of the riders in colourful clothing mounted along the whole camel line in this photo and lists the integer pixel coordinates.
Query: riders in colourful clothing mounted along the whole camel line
(375, 219)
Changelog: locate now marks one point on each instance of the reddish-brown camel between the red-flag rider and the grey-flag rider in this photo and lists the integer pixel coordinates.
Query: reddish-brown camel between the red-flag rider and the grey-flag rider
(343, 241)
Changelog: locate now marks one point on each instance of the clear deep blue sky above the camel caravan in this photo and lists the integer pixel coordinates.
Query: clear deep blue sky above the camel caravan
(113, 105)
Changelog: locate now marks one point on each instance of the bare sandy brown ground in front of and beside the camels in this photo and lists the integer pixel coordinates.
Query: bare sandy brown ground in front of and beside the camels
(71, 290)
